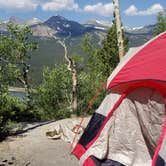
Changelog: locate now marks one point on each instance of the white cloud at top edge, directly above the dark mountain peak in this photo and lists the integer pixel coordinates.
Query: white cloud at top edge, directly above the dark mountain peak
(56, 5)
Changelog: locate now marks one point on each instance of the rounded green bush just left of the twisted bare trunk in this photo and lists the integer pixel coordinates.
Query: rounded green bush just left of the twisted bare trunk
(53, 95)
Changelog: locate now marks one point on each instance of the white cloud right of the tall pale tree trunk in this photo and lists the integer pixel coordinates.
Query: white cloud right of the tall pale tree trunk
(154, 9)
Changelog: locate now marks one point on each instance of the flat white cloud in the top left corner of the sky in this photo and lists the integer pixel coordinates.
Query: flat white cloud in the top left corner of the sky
(18, 5)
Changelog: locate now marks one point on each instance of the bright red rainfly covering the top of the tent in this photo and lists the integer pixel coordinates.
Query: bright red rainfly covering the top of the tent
(147, 65)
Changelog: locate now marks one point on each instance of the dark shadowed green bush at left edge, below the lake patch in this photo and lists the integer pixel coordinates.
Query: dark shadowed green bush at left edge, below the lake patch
(12, 110)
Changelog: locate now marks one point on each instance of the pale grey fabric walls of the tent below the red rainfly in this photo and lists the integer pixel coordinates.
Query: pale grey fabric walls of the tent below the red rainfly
(132, 133)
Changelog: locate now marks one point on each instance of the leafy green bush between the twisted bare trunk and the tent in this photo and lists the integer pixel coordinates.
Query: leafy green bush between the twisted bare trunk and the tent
(91, 77)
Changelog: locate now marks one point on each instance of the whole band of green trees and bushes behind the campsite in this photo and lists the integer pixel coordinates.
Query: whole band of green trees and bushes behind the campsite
(66, 88)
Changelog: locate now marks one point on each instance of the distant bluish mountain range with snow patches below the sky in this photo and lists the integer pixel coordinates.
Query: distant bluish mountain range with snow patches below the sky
(62, 27)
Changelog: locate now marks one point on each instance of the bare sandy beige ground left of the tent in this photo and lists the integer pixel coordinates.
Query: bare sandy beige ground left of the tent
(35, 149)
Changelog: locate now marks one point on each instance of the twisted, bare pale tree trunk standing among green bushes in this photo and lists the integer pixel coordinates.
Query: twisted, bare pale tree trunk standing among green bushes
(72, 68)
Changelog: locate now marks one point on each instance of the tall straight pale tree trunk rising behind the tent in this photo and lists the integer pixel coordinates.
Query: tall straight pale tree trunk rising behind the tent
(119, 29)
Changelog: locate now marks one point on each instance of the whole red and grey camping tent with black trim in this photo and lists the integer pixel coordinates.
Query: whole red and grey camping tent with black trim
(129, 127)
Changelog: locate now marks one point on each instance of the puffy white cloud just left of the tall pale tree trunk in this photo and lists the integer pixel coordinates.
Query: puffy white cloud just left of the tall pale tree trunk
(100, 8)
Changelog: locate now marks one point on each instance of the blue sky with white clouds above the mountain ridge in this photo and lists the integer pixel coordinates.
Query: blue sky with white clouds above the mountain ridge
(133, 12)
